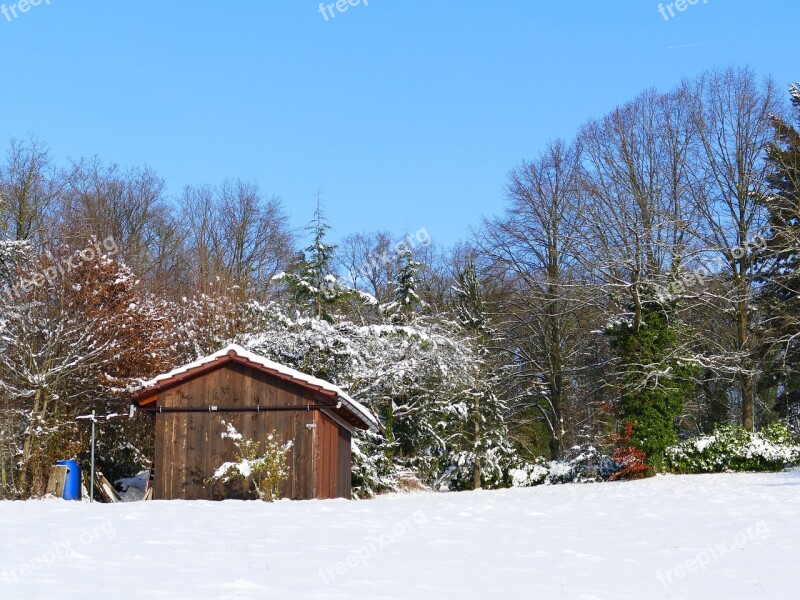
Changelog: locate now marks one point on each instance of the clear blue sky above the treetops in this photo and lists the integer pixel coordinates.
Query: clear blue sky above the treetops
(406, 114)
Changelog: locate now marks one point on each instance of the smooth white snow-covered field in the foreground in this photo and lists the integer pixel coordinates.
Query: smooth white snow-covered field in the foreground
(706, 536)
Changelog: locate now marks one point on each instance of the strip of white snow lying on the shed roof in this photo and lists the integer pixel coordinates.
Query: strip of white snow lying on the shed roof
(353, 406)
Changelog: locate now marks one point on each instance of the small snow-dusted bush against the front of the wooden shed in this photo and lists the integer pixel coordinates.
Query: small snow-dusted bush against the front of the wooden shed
(264, 467)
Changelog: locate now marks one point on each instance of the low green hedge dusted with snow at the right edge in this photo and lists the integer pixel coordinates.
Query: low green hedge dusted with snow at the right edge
(732, 448)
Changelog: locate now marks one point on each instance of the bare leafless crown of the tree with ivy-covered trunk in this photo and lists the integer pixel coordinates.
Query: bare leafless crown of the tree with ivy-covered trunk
(636, 182)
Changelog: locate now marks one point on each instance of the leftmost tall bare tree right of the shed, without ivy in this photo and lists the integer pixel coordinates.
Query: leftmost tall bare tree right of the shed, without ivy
(534, 247)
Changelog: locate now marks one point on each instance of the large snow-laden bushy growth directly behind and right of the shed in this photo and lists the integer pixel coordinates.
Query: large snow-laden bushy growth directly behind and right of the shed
(420, 380)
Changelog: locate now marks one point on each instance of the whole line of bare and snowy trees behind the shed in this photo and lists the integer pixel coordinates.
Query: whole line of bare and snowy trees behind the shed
(642, 279)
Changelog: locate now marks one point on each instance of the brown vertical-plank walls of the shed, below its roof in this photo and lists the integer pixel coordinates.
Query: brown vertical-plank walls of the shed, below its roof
(190, 447)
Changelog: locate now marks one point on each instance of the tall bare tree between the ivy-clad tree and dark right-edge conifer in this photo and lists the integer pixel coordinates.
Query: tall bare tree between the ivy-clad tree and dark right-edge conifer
(730, 113)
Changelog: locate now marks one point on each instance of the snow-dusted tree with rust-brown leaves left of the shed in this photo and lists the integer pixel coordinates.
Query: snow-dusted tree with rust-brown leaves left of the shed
(67, 348)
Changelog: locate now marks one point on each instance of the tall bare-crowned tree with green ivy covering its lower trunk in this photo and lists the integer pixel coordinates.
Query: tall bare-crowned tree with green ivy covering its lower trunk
(636, 178)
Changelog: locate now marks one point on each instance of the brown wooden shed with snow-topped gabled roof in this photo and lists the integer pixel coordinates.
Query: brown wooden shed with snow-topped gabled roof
(257, 396)
